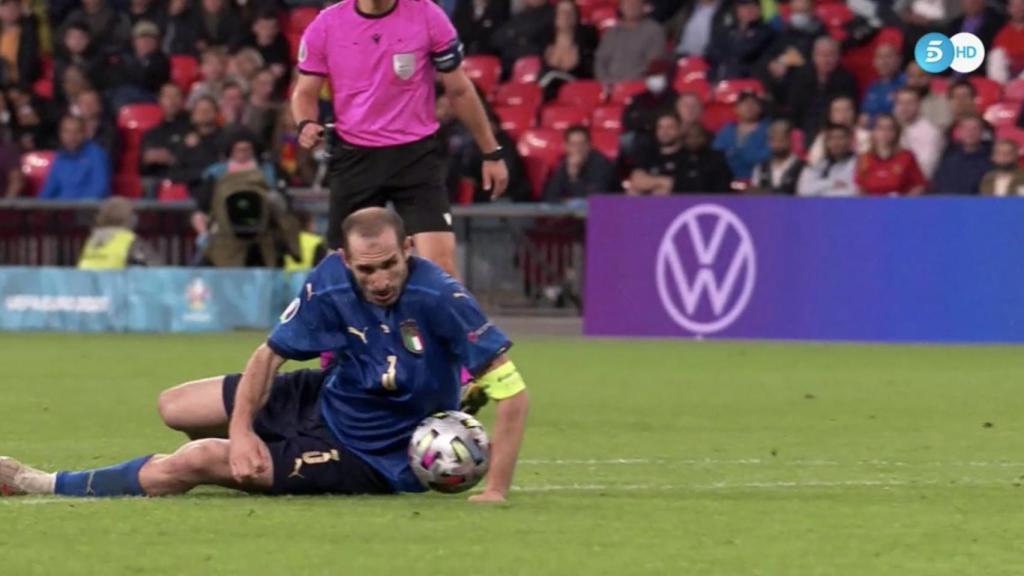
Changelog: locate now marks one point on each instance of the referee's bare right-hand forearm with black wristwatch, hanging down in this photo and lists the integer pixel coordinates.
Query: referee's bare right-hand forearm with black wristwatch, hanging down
(470, 110)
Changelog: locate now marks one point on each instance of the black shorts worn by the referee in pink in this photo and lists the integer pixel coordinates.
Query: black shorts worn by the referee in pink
(411, 177)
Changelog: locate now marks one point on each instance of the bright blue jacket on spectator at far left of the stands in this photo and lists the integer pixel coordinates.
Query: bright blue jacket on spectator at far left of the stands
(84, 175)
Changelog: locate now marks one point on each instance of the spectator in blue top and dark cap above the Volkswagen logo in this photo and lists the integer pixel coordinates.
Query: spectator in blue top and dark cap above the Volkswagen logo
(745, 143)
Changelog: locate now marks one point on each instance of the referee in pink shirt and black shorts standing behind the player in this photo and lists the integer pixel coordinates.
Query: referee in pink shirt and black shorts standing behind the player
(380, 58)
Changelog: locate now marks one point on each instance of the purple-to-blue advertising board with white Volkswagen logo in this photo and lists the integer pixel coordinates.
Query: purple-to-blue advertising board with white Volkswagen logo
(925, 270)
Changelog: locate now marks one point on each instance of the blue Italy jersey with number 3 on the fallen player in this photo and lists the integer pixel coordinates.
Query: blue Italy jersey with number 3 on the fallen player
(394, 366)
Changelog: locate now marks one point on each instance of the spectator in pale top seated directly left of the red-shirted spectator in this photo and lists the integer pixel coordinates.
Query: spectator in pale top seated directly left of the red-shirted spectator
(835, 175)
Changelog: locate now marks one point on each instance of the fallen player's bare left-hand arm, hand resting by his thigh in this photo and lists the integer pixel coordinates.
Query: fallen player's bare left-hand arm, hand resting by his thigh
(249, 457)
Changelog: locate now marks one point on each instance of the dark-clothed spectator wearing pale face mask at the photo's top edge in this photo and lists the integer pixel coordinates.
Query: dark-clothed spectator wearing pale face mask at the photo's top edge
(793, 47)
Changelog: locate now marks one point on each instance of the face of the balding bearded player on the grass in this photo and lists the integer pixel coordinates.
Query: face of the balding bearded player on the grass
(380, 266)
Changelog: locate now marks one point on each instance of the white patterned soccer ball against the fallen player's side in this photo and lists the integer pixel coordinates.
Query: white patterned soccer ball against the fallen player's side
(450, 452)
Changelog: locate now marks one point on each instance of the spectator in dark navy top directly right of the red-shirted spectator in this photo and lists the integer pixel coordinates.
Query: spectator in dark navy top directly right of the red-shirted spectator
(966, 162)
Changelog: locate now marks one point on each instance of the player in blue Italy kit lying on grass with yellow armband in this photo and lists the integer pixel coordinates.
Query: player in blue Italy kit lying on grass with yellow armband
(402, 330)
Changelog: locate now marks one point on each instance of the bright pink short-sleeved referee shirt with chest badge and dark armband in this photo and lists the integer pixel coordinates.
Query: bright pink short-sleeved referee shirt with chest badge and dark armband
(381, 69)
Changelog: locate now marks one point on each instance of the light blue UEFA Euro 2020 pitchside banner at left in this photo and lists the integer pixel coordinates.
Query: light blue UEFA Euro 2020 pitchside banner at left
(143, 300)
